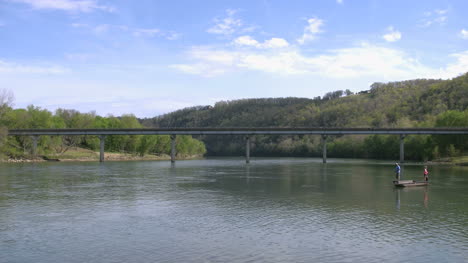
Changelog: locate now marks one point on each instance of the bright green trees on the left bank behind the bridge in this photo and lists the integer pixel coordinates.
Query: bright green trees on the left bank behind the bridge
(36, 118)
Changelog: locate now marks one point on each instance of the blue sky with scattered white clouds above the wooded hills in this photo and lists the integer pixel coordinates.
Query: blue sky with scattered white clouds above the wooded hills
(150, 57)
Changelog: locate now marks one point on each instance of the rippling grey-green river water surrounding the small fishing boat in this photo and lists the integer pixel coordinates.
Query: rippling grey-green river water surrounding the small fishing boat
(223, 210)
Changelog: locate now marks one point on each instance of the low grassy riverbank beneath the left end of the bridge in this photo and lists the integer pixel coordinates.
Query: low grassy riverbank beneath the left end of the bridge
(84, 155)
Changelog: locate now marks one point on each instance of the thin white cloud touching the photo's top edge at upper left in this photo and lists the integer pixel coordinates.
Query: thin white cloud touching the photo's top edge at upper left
(67, 5)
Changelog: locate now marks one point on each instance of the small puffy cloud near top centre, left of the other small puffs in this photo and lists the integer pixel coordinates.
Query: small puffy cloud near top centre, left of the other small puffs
(229, 25)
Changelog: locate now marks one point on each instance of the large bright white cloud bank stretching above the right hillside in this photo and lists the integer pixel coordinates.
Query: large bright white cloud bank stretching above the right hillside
(355, 62)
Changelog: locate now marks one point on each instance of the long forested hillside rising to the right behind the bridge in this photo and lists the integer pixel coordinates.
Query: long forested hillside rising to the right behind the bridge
(412, 103)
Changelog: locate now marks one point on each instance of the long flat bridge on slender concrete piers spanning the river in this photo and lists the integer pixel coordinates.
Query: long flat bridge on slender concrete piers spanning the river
(247, 132)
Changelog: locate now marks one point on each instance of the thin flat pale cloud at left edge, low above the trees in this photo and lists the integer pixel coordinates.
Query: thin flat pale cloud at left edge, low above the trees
(15, 68)
